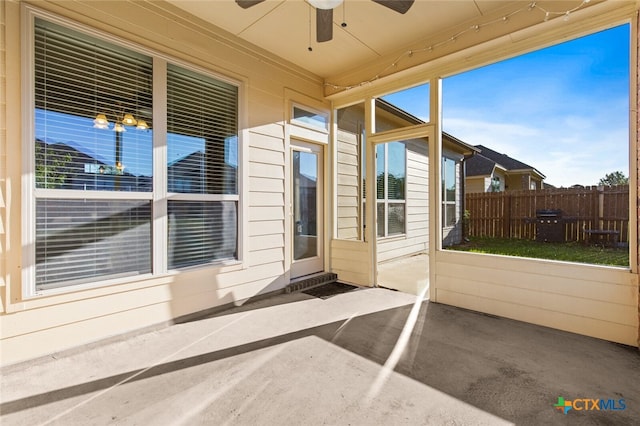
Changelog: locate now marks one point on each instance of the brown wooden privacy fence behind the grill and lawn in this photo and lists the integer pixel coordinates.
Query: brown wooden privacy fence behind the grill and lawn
(512, 214)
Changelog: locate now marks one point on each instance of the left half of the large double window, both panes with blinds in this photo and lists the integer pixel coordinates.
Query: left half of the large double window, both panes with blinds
(99, 235)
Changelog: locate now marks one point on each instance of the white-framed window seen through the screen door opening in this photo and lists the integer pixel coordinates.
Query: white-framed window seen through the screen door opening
(390, 188)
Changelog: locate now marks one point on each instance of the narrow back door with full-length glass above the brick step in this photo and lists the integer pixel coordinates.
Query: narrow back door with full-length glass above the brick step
(306, 209)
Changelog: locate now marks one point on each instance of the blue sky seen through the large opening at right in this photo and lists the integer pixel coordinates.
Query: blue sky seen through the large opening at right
(563, 110)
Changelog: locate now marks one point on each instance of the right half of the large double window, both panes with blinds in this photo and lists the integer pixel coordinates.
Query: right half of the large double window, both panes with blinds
(202, 167)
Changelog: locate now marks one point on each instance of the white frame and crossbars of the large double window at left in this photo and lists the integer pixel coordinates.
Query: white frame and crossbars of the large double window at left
(158, 197)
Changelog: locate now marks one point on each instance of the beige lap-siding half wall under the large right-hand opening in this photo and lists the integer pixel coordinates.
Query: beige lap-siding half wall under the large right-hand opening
(595, 301)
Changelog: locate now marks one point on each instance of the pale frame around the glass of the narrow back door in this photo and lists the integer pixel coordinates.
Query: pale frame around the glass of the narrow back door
(315, 264)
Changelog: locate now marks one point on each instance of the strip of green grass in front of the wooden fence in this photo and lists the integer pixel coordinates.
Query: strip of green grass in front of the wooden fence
(570, 252)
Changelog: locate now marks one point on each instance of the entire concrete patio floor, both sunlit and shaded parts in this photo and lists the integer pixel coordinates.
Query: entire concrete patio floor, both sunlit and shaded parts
(364, 357)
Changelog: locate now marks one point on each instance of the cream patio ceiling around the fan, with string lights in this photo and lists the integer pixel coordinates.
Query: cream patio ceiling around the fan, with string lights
(374, 36)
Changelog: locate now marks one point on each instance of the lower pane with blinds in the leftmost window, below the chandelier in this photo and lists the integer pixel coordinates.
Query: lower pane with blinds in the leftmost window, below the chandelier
(79, 241)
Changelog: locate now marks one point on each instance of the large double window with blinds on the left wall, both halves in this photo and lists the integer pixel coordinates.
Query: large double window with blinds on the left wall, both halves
(94, 189)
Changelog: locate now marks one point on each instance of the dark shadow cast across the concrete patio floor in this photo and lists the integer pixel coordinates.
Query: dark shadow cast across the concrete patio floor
(513, 370)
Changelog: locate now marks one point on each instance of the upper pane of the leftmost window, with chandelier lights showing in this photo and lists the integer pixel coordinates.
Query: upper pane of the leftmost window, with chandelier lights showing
(78, 78)
